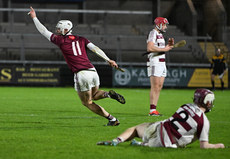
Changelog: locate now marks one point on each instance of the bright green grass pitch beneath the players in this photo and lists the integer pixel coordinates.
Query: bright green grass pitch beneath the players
(51, 123)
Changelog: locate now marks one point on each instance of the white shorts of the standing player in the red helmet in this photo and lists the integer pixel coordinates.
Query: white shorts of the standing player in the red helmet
(158, 71)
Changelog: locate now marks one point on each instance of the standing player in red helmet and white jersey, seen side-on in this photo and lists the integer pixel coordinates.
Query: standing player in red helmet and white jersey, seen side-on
(156, 66)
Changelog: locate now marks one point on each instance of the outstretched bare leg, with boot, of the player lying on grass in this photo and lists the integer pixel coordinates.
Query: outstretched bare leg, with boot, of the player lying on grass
(127, 135)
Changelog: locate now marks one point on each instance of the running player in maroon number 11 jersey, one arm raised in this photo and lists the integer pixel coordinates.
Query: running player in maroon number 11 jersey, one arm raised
(86, 79)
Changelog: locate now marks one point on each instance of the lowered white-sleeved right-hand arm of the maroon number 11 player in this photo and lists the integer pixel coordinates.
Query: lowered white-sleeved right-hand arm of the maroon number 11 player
(101, 54)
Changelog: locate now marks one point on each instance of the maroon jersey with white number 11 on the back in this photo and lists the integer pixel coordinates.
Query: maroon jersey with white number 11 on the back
(74, 51)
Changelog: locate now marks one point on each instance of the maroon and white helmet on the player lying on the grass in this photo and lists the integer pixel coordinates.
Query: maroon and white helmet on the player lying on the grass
(204, 98)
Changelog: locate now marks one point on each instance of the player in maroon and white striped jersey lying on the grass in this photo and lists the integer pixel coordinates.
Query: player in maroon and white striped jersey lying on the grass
(188, 124)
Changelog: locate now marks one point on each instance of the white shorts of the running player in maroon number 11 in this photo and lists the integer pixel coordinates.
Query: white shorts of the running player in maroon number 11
(85, 80)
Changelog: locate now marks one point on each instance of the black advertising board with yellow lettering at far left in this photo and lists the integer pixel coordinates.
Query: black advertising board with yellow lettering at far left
(23, 75)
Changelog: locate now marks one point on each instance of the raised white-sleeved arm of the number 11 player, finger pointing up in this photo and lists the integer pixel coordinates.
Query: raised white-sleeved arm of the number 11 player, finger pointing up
(41, 28)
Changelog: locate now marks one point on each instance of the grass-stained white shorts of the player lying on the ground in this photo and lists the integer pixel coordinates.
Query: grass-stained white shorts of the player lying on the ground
(152, 135)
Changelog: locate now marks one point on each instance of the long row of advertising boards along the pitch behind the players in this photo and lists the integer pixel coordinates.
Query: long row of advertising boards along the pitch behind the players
(134, 76)
